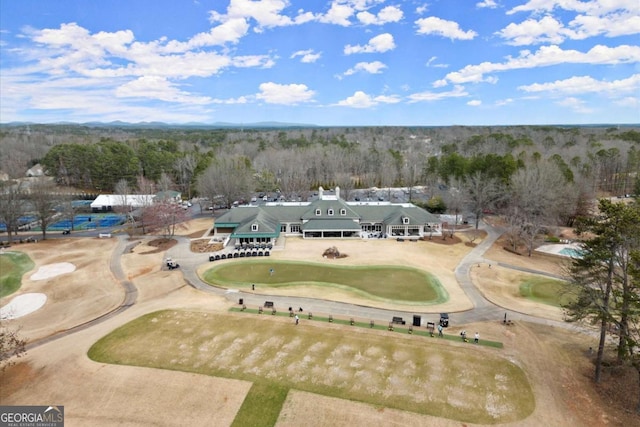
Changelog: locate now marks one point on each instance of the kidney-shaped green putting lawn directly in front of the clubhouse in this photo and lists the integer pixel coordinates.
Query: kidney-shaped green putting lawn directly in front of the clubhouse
(387, 283)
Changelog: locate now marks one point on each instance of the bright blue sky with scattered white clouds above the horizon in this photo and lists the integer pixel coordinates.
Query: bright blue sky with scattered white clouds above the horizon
(329, 62)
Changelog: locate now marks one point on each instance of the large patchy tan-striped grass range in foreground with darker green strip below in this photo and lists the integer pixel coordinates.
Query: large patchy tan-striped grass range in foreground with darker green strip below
(407, 372)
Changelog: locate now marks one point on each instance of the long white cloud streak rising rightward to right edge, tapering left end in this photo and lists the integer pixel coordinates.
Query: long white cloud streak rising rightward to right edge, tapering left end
(547, 56)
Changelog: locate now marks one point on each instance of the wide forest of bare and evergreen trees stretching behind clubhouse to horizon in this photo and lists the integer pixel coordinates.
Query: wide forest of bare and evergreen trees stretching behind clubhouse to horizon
(536, 176)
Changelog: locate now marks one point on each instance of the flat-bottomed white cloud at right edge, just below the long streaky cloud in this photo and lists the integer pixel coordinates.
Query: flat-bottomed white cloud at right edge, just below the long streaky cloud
(587, 84)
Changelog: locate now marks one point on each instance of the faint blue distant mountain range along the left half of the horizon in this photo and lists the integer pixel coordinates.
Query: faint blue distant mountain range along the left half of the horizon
(155, 125)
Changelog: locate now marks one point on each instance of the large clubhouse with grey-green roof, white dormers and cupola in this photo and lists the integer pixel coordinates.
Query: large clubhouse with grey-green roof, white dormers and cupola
(327, 217)
